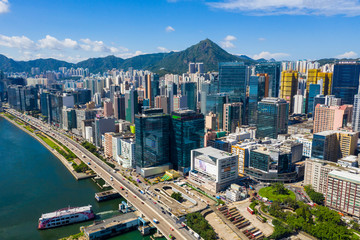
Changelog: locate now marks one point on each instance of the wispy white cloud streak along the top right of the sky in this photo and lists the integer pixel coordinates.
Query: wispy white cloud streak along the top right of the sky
(291, 7)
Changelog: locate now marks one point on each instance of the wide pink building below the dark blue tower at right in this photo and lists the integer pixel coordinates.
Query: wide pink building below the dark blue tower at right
(331, 117)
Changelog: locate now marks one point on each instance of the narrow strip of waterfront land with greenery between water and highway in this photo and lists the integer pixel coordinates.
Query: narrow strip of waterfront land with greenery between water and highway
(65, 162)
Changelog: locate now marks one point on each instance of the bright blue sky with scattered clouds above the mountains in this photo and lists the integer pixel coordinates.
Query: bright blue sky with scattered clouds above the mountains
(75, 30)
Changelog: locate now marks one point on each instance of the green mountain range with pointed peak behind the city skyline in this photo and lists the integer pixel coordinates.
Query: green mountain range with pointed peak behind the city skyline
(205, 51)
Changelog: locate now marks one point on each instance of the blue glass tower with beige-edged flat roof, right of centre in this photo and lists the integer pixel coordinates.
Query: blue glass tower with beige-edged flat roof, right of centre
(272, 117)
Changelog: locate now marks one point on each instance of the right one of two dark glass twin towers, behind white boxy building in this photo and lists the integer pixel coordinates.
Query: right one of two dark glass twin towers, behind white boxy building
(186, 134)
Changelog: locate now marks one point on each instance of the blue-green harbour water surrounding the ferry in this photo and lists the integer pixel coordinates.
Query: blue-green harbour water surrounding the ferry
(33, 181)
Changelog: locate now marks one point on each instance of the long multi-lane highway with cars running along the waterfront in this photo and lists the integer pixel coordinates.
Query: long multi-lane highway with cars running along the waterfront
(166, 225)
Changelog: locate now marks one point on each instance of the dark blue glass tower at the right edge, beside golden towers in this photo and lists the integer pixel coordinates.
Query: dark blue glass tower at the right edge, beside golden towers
(345, 82)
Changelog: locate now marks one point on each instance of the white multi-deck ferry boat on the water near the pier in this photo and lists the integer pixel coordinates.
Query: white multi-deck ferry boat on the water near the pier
(65, 216)
